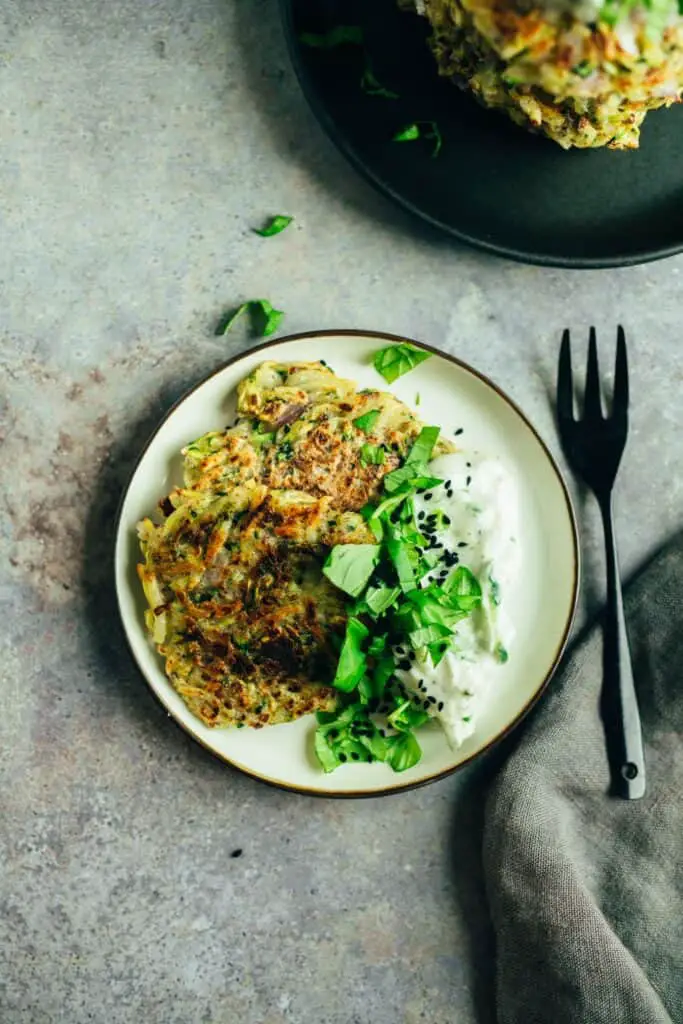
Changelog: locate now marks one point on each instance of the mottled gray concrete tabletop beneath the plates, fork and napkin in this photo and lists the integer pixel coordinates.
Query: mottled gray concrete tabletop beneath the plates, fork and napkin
(140, 143)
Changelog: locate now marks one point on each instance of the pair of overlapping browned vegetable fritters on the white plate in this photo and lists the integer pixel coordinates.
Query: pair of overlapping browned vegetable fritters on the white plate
(238, 605)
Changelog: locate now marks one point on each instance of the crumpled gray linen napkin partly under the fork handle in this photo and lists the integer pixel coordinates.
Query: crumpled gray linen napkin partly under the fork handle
(586, 891)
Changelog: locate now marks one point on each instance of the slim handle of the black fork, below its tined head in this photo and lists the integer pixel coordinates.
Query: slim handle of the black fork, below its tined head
(620, 705)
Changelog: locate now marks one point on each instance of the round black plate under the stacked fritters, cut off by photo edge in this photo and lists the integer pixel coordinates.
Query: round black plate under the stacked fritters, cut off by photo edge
(494, 185)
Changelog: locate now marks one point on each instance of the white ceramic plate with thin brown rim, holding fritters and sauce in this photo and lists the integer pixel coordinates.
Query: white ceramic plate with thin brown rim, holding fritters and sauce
(453, 396)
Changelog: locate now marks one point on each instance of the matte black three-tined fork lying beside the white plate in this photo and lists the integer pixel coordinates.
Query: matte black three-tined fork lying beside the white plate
(594, 447)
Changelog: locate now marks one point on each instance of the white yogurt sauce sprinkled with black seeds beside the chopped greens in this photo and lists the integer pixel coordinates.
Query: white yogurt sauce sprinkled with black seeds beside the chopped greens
(481, 499)
